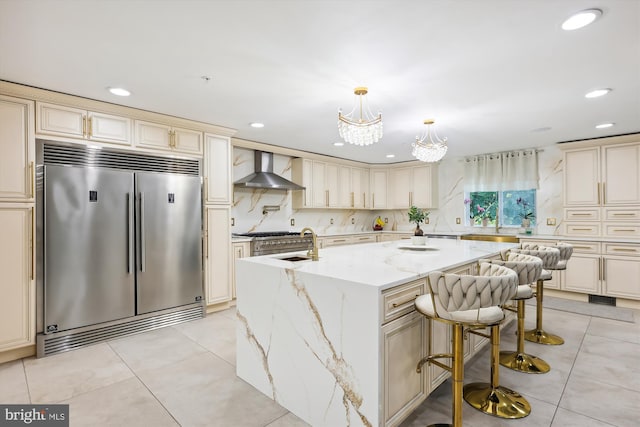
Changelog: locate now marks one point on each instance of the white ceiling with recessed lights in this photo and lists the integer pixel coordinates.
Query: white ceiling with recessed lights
(491, 73)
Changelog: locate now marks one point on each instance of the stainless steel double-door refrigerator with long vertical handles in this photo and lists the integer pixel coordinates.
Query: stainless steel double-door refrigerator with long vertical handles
(118, 244)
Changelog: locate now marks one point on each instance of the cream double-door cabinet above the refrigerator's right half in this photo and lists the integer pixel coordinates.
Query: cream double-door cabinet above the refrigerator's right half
(164, 137)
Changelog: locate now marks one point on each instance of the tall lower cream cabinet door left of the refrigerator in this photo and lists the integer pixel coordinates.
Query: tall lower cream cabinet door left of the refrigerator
(17, 305)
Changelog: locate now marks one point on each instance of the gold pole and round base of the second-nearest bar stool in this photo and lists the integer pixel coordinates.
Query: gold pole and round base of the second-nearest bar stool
(492, 398)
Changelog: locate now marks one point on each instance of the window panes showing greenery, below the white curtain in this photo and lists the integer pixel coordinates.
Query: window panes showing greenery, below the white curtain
(511, 207)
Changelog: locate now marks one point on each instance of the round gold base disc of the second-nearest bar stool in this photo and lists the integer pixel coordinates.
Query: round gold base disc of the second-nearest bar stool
(500, 402)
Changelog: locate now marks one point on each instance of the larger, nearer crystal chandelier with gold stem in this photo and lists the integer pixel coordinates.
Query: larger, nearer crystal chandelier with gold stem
(364, 130)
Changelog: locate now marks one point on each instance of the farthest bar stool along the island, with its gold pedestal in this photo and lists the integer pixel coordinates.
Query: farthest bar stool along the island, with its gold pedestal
(550, 257)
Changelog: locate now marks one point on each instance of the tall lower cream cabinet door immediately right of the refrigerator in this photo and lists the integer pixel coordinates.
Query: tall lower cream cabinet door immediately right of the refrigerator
(218, 255)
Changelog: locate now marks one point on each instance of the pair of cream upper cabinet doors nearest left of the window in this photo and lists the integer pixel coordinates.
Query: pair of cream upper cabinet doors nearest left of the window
(413, 186)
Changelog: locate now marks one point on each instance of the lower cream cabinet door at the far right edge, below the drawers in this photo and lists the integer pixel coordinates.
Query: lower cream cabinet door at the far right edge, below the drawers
(621, 277)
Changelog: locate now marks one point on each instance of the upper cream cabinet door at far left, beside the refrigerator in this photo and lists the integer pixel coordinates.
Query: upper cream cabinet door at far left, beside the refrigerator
(17, 148)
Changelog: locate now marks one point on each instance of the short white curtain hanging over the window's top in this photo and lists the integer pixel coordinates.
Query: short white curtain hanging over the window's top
(514, 170)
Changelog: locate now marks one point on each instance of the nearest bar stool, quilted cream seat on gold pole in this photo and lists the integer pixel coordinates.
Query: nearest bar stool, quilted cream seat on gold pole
(464, 301)
